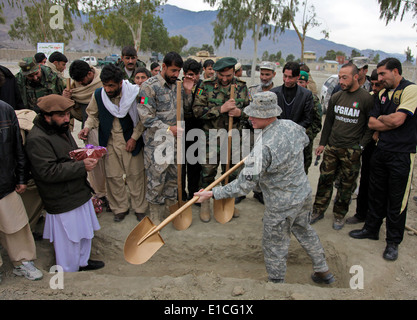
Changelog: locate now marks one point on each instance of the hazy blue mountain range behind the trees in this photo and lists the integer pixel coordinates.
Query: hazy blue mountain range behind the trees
(197, 28)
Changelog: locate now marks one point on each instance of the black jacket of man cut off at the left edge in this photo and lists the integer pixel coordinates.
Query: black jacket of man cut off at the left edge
(13, 168)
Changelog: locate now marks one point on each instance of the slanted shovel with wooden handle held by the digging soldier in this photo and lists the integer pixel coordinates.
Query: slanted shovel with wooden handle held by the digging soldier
(144, 240)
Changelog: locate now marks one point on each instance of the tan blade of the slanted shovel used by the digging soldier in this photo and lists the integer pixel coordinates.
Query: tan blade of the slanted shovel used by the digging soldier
(137, 250)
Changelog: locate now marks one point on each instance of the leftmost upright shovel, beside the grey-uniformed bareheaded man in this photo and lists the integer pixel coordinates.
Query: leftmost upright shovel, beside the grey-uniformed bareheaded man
(182, 221)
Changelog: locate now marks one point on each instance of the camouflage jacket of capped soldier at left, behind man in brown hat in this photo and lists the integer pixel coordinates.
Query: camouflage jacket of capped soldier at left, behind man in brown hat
(50, 83)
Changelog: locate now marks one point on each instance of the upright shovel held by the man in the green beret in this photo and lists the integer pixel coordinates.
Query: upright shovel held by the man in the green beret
(224, 208)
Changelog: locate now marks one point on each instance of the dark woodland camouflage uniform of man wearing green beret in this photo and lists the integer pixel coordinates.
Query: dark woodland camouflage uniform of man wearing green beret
(208, 101)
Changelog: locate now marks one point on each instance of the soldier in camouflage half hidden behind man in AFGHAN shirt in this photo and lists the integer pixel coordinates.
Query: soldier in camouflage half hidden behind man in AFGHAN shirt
(315, 127)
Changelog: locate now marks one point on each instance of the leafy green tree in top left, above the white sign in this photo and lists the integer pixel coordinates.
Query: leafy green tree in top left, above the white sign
(39, 24)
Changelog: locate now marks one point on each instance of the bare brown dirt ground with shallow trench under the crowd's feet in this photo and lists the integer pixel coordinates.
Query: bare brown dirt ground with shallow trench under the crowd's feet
(211, 261)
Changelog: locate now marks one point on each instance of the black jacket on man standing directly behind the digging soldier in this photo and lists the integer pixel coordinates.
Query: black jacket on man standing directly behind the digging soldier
(301, 112)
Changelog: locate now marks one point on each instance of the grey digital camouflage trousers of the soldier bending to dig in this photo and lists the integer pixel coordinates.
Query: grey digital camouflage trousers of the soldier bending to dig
(276, 241)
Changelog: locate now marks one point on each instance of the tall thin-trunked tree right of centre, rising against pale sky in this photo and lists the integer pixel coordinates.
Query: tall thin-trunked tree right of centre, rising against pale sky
(308, 22)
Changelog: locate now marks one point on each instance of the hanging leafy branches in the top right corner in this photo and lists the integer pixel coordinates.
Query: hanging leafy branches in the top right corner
(391, 9)
